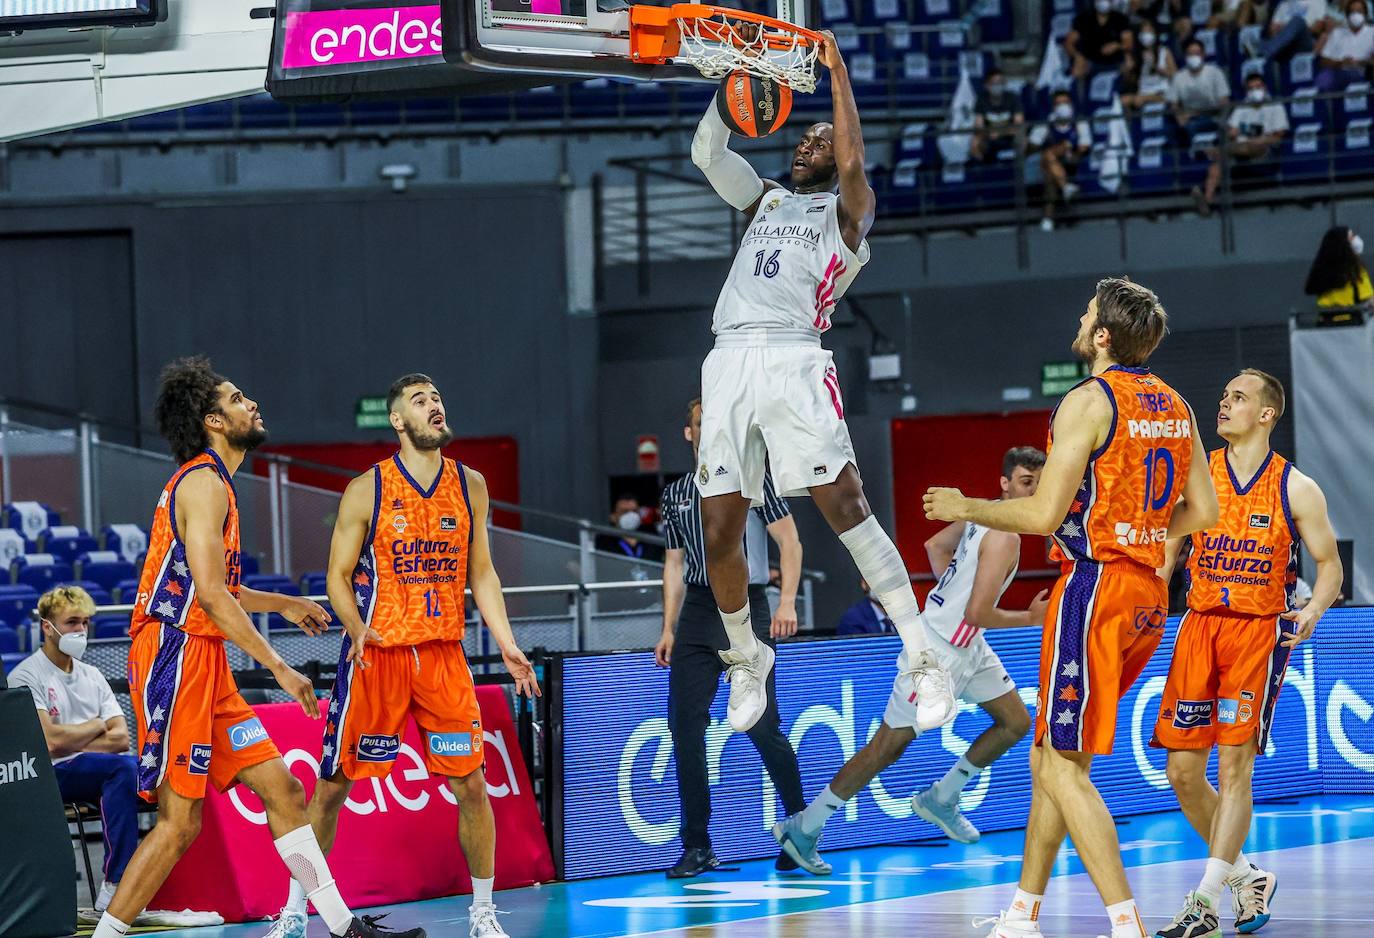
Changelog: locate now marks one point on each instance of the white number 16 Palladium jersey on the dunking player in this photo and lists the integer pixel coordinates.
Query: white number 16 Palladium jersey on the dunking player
(792, 266)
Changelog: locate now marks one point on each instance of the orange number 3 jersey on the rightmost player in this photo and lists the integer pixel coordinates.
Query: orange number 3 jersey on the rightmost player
(1248, 562)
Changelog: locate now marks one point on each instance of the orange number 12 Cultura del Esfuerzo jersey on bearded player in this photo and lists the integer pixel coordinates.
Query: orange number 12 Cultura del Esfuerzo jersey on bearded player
(412, 576)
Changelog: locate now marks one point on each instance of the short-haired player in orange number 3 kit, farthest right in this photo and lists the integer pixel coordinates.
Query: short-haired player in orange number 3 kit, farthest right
(1235, 643)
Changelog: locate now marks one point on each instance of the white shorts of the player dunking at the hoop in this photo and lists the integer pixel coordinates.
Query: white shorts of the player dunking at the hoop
(773, 402)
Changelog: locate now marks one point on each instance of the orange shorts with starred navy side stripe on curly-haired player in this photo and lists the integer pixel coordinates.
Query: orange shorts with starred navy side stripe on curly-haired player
(193, 724)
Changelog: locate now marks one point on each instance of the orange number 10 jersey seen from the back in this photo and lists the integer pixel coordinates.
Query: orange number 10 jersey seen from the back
(1123, 507)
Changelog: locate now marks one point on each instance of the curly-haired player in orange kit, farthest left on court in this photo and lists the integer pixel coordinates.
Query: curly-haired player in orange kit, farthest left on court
(185, 700)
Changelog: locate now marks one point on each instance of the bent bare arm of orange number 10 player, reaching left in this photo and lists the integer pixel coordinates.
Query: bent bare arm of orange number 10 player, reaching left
(1081, 425)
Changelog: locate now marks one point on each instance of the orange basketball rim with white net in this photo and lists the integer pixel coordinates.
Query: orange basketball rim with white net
(719, 41)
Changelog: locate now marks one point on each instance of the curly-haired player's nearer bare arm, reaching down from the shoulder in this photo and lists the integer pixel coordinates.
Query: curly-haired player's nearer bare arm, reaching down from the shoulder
(203, 507)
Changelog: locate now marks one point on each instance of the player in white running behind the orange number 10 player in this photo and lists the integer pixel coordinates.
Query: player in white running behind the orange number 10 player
(976, 565)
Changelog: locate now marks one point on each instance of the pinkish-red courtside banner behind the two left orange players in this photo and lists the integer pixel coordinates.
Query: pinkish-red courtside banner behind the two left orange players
(398, 837)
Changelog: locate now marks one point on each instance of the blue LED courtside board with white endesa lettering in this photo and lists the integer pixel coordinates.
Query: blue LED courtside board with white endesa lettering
(620, 788)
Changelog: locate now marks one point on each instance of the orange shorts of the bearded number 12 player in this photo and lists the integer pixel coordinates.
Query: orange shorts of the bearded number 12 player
(369, 708)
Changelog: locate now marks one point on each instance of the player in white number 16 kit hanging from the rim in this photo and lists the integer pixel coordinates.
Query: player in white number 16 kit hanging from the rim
(770, 392)
